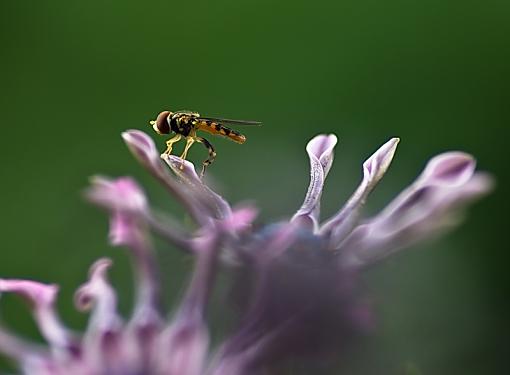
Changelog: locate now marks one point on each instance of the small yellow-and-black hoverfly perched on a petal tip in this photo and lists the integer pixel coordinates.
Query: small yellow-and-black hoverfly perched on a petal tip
(186, 124)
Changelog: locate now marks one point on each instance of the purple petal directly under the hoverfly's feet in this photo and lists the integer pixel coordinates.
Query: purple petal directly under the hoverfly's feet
(185, 170)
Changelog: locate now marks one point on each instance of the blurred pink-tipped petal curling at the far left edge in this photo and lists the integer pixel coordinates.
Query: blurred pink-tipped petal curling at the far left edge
(42, 298)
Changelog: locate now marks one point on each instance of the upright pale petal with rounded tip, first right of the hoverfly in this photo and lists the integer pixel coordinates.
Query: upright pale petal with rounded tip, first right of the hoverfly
(320, 152)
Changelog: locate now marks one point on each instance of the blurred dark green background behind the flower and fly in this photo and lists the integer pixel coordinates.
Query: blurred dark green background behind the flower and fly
(74, 74)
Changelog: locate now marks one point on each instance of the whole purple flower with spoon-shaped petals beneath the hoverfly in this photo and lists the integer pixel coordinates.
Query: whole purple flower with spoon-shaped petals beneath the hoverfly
(295, 281)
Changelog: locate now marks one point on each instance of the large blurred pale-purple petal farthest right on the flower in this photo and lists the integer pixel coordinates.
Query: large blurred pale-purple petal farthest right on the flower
(428, 207)
